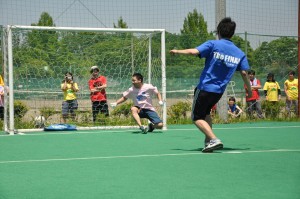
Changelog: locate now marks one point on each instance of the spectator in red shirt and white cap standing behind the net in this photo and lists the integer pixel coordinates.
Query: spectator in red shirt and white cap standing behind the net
(97, 86)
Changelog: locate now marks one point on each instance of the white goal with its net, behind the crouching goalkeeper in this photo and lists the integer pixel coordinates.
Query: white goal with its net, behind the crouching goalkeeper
(36, 59)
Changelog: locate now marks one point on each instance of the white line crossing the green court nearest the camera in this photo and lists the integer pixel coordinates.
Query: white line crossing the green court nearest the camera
(153, 155)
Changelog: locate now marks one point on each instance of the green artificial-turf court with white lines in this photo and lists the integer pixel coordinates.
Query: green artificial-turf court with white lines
(259, 160)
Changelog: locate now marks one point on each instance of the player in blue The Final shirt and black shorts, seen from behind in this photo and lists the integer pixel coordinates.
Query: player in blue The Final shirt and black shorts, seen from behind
(222, 59)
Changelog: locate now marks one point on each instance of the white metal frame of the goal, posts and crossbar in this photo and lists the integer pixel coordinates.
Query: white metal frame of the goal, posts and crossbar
(9, 125)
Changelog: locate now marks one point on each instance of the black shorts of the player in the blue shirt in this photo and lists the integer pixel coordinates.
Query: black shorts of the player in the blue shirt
(203, 103)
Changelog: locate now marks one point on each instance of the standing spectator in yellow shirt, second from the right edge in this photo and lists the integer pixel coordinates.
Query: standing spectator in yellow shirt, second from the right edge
(273, 95)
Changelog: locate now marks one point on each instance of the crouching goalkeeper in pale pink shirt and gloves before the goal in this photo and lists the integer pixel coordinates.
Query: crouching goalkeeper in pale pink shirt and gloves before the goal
(141, 95)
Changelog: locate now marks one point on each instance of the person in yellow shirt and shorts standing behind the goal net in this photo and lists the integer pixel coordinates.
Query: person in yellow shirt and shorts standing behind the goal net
(70, 104)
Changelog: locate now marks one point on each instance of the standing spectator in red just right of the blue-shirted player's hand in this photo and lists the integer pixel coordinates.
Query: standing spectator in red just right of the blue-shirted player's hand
(253, 103)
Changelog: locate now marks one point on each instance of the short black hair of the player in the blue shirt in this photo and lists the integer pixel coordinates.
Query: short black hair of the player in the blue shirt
(226, 28)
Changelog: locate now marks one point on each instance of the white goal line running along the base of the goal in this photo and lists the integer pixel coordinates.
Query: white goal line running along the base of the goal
(130, 130)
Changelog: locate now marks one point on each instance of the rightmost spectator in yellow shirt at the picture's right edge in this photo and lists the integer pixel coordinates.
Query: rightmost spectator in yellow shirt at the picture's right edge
(291, 91)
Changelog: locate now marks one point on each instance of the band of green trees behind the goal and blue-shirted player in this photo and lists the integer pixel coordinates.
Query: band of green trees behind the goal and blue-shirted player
(82, 49)
